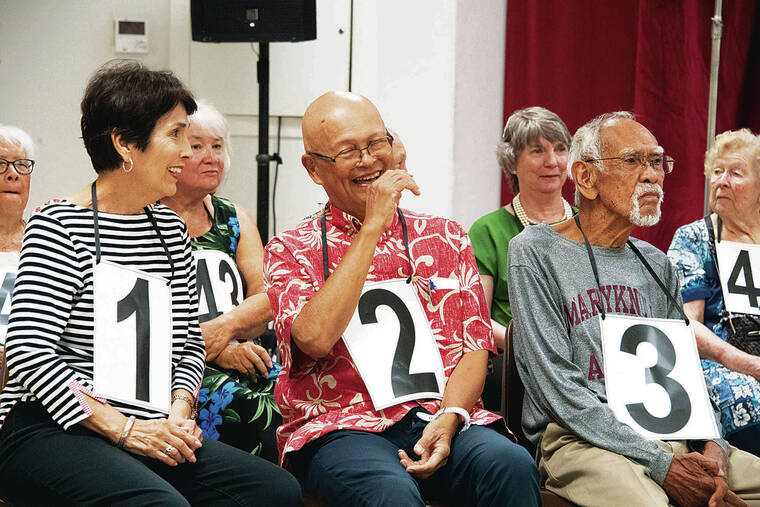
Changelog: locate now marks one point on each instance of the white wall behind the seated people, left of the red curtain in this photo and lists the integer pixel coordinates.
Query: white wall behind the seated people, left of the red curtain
(433, 67)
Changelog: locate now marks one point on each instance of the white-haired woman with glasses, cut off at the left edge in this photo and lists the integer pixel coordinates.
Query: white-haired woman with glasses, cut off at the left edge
(16, 164)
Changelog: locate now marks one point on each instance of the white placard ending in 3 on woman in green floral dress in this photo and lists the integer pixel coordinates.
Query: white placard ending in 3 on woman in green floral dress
(220, 286)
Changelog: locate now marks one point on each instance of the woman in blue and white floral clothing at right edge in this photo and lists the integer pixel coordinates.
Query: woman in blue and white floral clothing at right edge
(733, 166)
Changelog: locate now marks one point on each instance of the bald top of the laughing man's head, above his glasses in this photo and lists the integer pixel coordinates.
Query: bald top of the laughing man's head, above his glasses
(332, 113)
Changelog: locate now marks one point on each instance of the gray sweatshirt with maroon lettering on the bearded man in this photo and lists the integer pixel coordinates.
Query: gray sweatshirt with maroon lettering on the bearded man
(557, 338)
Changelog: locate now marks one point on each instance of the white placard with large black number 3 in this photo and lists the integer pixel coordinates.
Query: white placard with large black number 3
(654, 378)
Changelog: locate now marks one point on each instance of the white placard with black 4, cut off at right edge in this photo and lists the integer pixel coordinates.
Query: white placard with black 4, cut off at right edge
(736, 262)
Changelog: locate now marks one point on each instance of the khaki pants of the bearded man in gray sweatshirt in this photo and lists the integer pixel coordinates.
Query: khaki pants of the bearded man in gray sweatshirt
(590, 476)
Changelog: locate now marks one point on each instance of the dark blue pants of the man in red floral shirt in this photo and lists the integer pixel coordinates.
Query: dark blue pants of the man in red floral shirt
(360, 468)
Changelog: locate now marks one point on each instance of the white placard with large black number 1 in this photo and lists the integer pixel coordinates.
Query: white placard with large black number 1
(133, 335)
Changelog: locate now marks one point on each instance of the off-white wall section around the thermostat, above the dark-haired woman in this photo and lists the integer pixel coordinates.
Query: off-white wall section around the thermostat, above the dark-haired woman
(48, 50)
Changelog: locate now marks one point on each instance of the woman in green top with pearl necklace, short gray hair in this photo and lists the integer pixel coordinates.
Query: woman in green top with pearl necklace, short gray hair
(532, 152)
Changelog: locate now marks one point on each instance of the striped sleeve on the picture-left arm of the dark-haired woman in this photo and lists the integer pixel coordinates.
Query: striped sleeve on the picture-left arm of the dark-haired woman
(49, 278)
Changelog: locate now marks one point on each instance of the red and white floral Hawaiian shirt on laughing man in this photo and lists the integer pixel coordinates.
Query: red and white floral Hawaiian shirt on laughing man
(320, 396)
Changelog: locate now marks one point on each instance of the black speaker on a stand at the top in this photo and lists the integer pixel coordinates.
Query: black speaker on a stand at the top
(253, 20)
